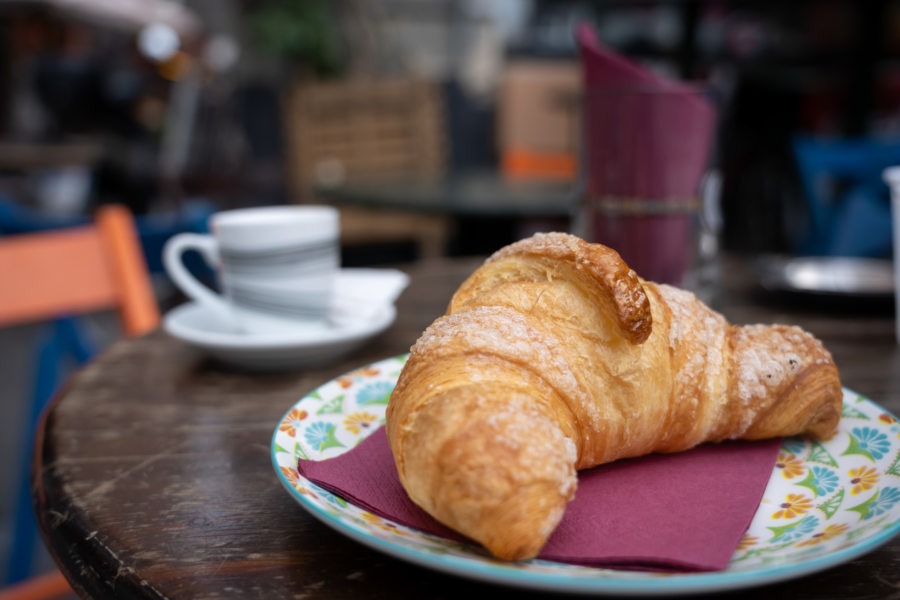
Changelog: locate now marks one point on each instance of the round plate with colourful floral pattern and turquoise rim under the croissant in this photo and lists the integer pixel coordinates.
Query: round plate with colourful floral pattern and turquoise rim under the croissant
(826, 502)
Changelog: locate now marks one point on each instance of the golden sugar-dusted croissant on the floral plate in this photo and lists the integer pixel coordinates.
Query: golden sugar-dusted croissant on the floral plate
(553, 357)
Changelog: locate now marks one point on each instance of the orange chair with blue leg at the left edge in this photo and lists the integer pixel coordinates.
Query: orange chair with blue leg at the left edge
(56, 276)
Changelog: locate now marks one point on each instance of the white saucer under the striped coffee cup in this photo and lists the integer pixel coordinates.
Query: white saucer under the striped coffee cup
(195, 325)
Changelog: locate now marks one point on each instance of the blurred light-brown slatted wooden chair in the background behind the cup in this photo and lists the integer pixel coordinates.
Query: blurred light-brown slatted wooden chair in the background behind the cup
(369, 130)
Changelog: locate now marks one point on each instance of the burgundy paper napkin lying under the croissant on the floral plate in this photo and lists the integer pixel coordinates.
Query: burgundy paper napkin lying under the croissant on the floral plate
(679, 512)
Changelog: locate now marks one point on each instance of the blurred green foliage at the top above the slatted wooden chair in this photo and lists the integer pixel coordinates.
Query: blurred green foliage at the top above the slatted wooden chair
(303, 31)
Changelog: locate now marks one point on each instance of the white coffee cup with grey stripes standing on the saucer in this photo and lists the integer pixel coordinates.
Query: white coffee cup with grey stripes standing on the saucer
(276, 266)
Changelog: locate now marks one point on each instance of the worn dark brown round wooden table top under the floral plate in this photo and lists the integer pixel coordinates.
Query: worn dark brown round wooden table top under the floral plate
(152, 476)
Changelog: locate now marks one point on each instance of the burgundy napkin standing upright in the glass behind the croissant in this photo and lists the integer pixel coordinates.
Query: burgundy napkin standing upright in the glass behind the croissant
(647, 141)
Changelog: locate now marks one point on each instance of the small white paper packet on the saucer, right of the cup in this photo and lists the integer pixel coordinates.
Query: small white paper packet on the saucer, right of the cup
(362, 293)
